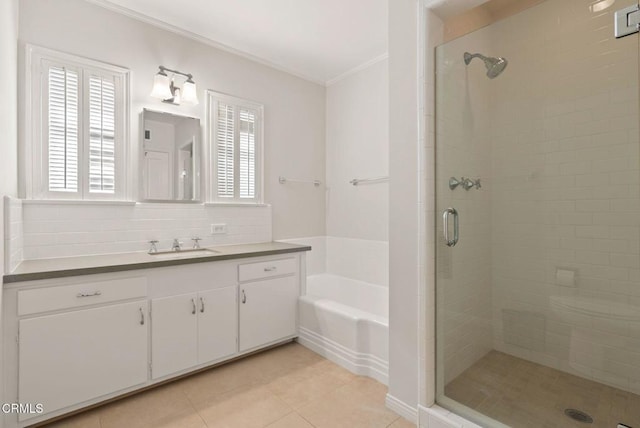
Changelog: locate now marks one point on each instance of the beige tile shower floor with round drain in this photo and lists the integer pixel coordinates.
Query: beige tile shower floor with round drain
(520, 393)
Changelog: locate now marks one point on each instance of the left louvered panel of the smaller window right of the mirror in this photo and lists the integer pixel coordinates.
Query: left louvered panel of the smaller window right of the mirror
(225, 149)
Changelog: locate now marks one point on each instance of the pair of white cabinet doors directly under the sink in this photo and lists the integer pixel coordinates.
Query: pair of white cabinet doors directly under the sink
(191, 329)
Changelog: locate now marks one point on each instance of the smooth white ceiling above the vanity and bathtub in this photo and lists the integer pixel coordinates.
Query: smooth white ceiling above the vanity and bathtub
(319, 40)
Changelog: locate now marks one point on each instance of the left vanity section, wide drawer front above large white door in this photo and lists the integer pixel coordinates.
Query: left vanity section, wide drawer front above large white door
(69, 357)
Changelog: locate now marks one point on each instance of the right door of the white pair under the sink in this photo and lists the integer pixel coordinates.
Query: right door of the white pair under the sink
(217, 324)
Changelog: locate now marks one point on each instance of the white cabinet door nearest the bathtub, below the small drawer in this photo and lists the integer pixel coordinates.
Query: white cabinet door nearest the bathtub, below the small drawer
(267, 311)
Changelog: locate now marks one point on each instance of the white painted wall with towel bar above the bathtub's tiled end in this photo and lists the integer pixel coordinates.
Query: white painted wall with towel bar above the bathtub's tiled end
(358, 147)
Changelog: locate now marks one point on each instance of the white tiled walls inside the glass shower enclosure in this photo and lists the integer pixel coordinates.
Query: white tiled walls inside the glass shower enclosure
(556, 141)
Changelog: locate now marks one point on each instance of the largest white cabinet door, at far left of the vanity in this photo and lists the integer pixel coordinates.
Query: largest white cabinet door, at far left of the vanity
(71, 357)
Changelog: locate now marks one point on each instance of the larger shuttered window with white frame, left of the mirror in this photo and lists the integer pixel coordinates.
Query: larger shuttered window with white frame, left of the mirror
(78, 114)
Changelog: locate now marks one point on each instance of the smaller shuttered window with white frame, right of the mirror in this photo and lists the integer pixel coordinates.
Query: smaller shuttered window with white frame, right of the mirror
(235, 143)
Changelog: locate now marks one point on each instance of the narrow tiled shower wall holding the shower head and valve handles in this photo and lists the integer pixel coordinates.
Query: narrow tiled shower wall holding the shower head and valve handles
(463, 150)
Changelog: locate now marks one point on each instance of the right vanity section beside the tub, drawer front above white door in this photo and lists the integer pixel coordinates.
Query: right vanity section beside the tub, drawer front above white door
(269, 293)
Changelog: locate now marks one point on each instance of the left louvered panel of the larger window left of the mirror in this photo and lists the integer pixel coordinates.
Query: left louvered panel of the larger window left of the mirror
(62, 120)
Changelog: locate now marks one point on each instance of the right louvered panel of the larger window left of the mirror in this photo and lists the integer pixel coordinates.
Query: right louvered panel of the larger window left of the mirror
(102, 135)
